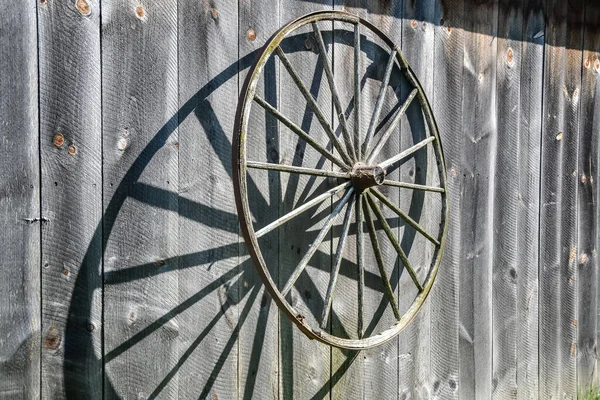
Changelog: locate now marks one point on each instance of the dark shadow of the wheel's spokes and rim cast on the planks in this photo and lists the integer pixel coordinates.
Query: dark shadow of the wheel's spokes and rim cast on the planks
(79, 347)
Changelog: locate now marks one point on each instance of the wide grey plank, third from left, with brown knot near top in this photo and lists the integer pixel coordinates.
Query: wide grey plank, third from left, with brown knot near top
(139, 109)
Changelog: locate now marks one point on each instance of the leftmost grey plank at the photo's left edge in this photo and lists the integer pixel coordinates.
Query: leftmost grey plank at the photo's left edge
(19, 203)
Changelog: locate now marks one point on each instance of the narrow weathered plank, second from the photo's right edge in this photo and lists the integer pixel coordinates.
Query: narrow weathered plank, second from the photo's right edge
(558, 216)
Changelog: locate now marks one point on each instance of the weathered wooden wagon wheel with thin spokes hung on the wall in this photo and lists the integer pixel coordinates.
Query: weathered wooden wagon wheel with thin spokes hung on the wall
(358, 171)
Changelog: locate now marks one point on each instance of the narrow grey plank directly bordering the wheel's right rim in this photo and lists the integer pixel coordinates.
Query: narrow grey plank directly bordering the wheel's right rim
(447, 108)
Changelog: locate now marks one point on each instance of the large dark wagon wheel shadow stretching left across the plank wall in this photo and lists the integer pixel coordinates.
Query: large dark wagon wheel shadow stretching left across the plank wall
(82, 364)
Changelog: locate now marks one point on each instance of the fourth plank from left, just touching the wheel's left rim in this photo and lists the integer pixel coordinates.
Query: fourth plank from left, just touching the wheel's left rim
(208, 229)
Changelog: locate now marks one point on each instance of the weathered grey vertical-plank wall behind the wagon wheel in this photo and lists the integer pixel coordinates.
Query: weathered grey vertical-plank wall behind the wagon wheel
(122, 272)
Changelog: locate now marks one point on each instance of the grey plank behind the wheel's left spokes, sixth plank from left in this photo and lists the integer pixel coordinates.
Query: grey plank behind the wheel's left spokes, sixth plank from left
(304, 364)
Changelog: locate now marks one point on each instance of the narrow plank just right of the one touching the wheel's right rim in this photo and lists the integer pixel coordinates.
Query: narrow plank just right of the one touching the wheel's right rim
(479, 149)
